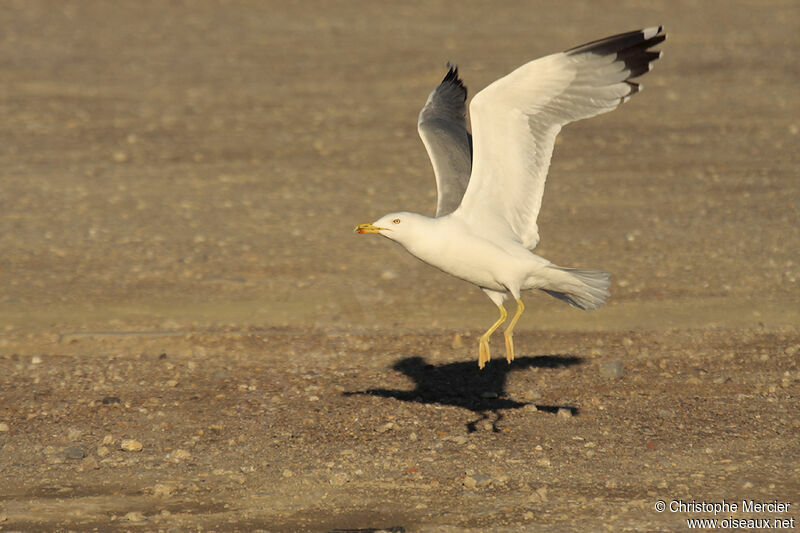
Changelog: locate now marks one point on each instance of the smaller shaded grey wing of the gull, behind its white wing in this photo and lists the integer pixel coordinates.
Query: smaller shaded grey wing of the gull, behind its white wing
(442, 125)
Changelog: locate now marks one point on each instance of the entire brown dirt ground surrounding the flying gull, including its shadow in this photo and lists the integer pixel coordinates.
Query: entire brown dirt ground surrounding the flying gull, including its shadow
(192, 338)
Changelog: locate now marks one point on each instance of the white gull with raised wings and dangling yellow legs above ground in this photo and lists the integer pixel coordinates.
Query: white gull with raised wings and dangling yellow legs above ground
(490, 182)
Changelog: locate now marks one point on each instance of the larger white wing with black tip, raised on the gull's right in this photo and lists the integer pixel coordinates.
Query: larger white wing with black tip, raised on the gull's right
(515, 121)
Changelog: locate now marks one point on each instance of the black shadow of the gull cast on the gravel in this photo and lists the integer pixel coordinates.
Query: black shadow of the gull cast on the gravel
(463, 385)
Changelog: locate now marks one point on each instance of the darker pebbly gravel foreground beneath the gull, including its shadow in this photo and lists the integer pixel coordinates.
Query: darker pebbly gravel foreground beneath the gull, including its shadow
(296, 431)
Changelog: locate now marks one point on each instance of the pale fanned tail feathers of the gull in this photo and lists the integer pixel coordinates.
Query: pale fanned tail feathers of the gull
(583, 288)
